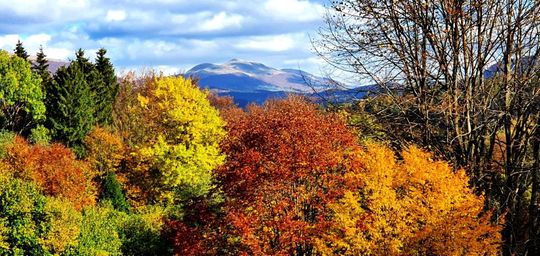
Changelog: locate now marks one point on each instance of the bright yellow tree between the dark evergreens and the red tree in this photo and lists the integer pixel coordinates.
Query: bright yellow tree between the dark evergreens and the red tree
(175, 142)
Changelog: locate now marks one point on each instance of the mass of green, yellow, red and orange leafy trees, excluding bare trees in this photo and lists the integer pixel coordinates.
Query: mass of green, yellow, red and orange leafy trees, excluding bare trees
(152, 165)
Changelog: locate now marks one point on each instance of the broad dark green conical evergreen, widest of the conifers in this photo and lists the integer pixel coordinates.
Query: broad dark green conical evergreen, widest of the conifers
(70, 105)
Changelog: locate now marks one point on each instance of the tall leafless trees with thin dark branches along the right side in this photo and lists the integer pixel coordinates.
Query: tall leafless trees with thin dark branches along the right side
(462, 79)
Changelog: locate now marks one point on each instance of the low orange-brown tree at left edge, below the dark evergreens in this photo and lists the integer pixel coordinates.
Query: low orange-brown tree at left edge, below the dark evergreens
(54, 169)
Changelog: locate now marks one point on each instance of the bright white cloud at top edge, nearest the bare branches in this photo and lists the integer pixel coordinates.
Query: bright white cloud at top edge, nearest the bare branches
(294, 10)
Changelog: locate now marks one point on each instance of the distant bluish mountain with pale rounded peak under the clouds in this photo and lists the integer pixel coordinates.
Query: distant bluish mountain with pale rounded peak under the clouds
(249, 81)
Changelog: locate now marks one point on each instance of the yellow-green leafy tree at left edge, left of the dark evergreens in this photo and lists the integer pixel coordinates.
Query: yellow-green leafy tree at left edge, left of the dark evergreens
(21, 96)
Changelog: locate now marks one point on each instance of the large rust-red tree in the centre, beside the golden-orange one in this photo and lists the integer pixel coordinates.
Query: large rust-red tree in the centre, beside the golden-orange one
(286, 162)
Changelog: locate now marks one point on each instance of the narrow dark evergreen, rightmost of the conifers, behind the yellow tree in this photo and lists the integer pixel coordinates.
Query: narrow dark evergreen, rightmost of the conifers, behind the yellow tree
(108, 90)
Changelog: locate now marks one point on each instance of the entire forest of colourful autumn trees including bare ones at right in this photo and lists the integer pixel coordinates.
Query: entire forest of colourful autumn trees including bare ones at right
(444, 159)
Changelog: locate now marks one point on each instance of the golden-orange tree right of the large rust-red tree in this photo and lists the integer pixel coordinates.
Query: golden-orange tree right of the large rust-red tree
(416, 206)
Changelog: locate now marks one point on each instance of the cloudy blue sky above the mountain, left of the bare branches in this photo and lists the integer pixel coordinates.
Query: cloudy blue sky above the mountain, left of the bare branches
(170, 35)
